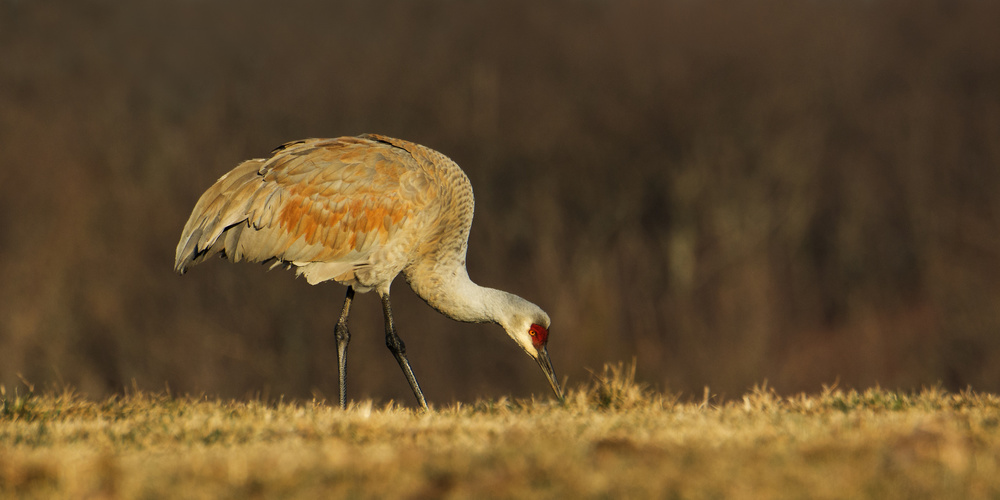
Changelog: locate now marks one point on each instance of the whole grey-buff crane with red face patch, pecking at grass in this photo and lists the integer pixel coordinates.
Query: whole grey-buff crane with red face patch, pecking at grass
(360, 211)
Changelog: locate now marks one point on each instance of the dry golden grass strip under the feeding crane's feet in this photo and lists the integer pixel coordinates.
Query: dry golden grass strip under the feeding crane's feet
(613, 438)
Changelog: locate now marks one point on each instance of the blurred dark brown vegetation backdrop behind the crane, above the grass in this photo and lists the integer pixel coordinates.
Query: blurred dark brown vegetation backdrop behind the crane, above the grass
(728, 191)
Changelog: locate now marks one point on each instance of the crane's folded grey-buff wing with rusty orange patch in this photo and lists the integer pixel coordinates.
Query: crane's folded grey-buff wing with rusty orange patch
(330, 201)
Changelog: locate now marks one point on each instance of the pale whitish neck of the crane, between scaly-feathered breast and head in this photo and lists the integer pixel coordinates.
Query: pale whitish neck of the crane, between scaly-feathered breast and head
(452, 293)
